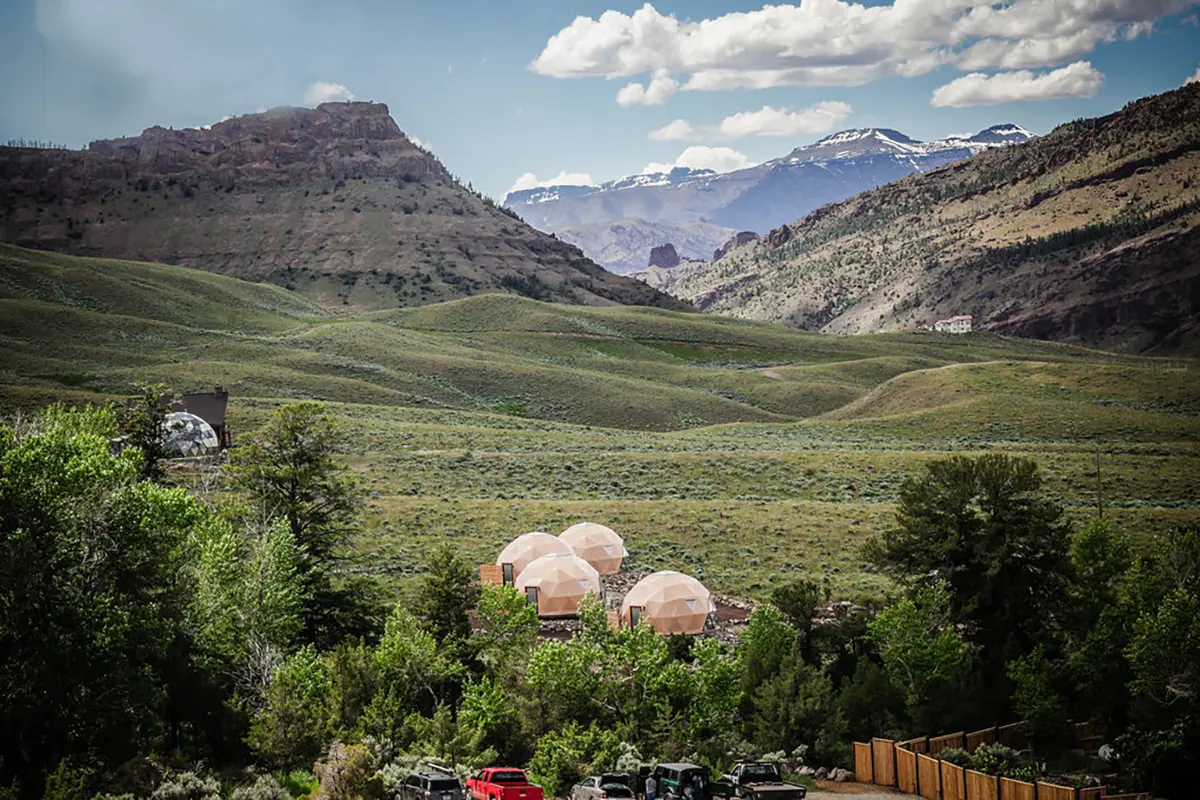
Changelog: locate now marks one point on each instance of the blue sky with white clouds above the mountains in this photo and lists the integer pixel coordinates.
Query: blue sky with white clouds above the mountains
(514, 94)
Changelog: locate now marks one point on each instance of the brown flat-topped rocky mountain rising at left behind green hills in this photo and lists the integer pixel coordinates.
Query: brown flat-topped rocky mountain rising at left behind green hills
(333, 202)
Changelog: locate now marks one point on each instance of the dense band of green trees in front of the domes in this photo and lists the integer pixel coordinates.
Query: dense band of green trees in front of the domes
(147, 629)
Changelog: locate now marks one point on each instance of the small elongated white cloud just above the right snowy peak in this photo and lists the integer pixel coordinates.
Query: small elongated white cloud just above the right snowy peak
(1079, 80)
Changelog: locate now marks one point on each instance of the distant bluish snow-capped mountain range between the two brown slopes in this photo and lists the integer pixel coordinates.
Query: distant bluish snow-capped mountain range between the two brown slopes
(698, 210)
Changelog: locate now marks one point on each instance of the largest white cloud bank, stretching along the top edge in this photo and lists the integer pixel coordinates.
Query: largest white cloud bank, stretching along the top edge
(839, 43)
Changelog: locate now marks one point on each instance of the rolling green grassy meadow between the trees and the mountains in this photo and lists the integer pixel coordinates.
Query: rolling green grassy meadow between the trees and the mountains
(740, 452)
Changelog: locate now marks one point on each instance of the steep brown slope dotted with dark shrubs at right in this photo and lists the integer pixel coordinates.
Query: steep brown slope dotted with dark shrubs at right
(1087, 236)
